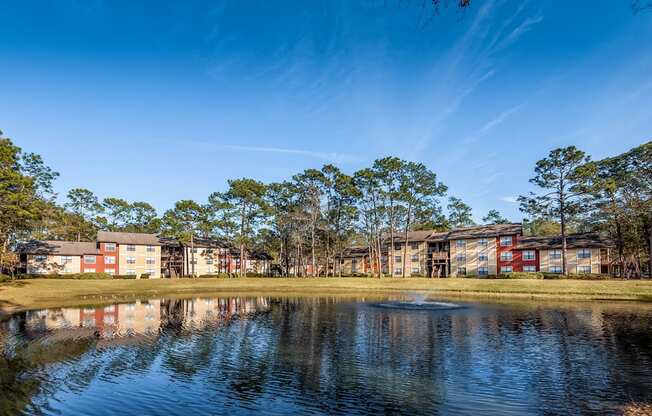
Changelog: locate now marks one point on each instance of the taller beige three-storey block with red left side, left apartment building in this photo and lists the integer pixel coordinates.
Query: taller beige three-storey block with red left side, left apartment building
(130, 253)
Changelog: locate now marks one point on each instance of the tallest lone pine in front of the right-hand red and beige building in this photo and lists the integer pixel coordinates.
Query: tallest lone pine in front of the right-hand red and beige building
(563, 178)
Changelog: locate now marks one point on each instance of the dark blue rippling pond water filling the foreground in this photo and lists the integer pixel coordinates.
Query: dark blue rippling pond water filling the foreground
(326, 355)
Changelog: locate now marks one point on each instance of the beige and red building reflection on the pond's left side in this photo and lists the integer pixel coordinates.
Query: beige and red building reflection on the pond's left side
(136, 318)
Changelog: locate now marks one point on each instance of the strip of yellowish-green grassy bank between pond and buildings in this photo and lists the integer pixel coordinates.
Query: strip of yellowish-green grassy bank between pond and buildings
(38, 293)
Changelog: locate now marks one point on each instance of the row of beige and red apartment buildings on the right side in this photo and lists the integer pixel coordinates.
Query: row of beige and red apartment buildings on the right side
(483, 251)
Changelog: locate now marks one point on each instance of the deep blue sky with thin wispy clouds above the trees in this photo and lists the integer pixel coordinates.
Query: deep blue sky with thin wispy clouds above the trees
(160, 101)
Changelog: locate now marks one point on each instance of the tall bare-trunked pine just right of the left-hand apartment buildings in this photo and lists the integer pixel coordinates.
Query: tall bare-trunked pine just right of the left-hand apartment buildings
(245, 202)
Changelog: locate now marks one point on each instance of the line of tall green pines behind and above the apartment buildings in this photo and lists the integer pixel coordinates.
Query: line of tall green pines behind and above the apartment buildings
(308, 221)
